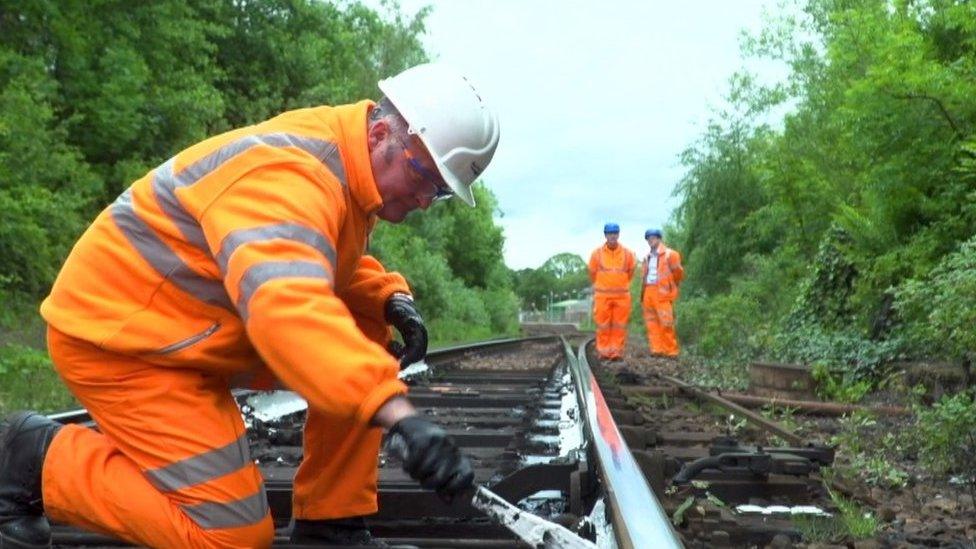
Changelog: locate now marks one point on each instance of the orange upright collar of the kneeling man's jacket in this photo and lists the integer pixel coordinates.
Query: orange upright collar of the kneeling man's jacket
(352, 136)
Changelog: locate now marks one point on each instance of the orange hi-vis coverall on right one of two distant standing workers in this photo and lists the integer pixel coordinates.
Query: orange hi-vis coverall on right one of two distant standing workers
(658, 300)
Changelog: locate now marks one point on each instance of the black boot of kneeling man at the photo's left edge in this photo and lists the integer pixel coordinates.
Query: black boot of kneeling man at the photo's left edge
(25, 439)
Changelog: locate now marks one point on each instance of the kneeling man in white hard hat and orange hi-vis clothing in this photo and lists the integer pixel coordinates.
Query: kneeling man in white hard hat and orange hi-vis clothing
(242, 259)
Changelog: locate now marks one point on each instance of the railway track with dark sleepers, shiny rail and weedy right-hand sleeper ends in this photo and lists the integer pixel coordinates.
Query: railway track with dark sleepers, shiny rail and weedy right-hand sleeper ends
(607, 460)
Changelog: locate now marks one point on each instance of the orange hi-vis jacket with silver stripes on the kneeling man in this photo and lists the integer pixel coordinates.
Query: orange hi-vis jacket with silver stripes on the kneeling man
(246, 252)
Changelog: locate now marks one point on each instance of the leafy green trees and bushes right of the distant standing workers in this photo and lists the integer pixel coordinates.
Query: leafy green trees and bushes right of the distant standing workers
(825, 240)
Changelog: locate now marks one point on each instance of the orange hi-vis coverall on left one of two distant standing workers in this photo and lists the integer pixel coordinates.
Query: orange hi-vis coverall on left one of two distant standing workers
(610, 272)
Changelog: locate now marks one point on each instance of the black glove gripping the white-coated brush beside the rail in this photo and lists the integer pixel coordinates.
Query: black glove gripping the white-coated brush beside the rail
(430, 456)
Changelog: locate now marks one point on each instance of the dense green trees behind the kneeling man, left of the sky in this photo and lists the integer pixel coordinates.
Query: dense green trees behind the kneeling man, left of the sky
(93, 94)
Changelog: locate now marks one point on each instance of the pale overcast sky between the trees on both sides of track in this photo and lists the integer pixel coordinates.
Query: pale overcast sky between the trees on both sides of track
(595, 101)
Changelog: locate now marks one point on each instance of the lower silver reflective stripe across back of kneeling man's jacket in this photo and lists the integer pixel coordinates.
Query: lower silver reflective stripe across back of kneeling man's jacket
(166, 263)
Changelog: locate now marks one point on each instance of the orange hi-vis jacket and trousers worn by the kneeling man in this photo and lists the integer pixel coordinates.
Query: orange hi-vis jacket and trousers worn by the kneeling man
(238, 262)
